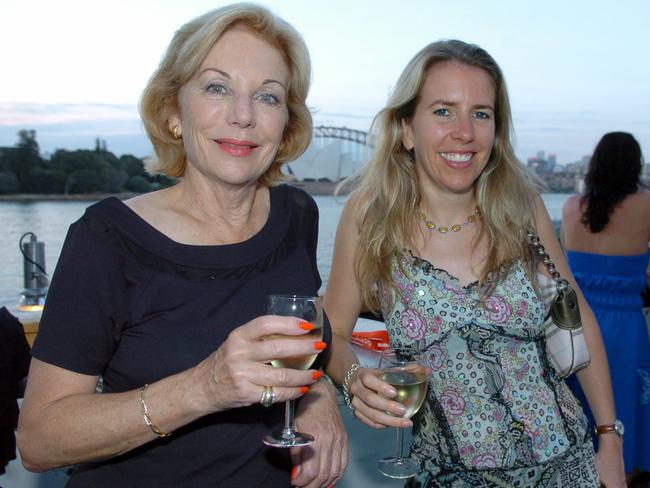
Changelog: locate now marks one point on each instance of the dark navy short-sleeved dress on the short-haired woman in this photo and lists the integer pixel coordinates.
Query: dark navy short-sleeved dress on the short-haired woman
(133, 306)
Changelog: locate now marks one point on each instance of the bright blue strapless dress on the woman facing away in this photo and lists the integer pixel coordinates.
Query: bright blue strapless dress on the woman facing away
(612, 285)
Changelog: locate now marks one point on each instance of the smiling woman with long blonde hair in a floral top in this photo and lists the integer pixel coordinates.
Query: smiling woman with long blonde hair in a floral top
(435, 238)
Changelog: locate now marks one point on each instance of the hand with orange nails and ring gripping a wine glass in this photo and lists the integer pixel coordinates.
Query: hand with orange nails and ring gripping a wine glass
(235, 374)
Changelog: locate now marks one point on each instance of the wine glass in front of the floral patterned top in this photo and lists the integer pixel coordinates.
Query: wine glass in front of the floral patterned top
(406, 370)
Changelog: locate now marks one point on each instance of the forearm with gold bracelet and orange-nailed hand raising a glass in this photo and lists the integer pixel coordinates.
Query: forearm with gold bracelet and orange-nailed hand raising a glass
(63, 421)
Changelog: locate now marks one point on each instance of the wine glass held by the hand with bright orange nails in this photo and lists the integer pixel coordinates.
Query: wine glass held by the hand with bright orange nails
(310, 309)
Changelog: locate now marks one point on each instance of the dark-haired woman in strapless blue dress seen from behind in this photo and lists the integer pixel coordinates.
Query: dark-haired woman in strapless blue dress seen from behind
(605, 232)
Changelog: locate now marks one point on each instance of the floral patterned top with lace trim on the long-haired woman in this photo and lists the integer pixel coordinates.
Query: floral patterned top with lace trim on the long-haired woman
(493, 400)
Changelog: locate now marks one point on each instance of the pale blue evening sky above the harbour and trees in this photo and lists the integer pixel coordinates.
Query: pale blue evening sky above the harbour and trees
(74, 70)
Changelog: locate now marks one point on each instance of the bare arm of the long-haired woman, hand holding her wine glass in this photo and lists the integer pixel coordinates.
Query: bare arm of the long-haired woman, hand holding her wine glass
(343, 304)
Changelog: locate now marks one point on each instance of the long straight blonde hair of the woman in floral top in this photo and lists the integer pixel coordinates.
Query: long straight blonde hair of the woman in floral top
(388, 197)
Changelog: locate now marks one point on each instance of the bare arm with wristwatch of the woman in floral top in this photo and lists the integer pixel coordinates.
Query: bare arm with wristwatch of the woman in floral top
(595, 379)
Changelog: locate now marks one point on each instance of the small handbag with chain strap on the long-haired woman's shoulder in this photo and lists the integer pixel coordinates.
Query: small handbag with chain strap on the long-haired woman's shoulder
(566, 347)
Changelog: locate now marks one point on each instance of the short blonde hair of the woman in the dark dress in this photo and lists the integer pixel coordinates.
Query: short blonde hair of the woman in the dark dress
(183, 58)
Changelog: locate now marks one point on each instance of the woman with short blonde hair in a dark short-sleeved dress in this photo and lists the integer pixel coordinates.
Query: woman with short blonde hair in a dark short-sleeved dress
(164, 296)
